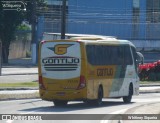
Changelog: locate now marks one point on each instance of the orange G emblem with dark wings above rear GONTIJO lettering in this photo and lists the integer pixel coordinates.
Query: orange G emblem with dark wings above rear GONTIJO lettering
(60, 49)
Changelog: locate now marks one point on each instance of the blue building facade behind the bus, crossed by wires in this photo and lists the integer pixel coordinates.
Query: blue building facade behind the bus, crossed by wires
(135, 20)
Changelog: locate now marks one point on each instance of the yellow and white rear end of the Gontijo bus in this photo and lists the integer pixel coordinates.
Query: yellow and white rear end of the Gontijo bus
(60, 77)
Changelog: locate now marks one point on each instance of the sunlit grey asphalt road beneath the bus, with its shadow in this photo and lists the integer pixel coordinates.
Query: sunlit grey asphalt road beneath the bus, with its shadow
(109, 106)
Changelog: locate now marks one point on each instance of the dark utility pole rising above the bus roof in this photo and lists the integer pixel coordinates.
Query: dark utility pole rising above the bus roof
(63, 19)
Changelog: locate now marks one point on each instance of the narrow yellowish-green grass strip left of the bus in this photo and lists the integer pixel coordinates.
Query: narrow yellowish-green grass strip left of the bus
(23, 84)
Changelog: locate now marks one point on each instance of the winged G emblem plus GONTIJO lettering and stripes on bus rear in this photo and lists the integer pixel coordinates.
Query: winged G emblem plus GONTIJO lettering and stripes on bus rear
(61, 62)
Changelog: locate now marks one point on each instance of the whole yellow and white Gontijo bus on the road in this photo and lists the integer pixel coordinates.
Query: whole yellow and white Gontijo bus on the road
(87, 69)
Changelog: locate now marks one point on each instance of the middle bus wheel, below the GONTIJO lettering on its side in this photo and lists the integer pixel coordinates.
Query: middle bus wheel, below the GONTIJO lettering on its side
(98, 101)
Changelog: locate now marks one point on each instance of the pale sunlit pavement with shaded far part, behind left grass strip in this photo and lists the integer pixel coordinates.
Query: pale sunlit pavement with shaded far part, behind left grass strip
(19, 70)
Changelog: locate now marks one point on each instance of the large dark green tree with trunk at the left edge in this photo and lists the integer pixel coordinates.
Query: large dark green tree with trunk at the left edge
(9, 20)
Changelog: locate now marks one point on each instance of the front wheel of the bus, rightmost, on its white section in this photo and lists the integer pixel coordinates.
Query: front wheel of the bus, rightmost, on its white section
(127, 99)
